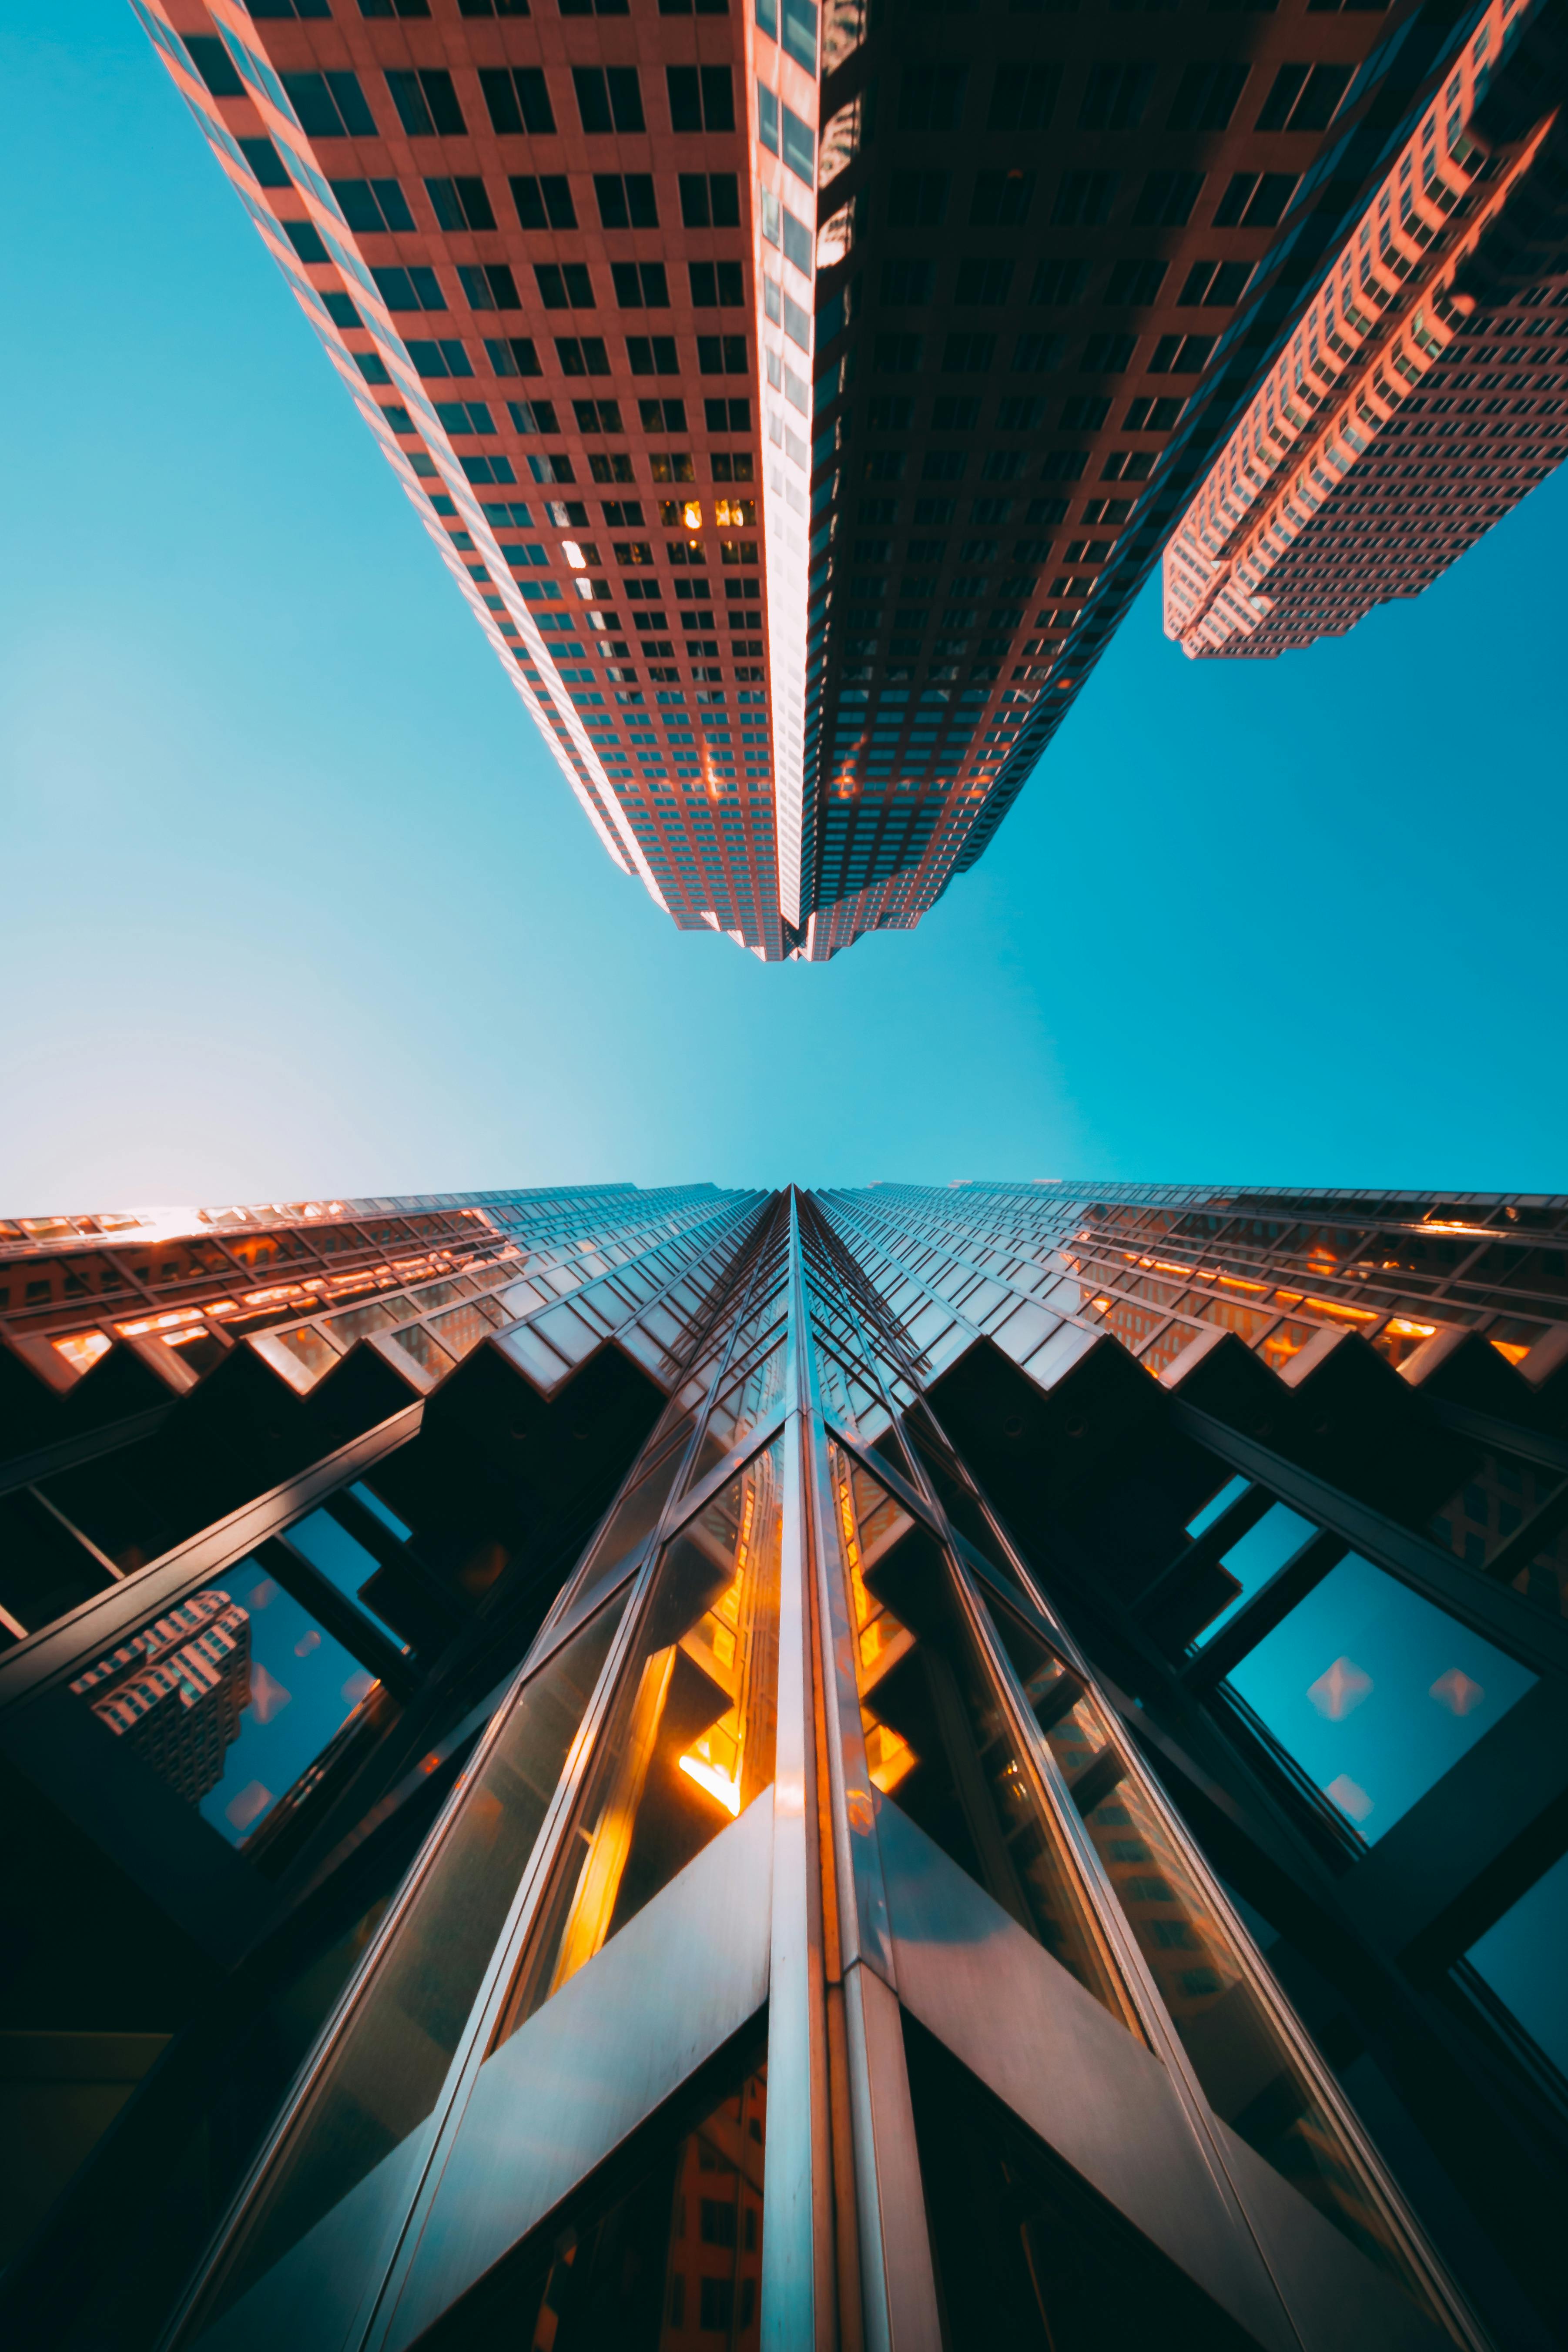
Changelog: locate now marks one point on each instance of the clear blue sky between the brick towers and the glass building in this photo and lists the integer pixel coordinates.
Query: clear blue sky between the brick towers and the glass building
(297, 904)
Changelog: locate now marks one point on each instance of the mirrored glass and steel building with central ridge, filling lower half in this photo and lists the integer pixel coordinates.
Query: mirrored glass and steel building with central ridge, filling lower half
(906, 1768)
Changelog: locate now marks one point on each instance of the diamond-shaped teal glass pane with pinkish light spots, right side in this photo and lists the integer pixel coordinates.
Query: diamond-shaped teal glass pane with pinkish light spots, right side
(1376, 1692)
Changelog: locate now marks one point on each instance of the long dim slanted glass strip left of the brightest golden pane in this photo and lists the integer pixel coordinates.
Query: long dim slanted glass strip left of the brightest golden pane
(351, 2160)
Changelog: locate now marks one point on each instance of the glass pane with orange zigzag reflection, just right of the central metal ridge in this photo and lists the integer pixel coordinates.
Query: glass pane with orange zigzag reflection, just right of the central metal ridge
(937, 1739)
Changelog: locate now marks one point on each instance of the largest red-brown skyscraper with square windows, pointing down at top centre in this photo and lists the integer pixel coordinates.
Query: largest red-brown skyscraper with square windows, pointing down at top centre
(798, 399)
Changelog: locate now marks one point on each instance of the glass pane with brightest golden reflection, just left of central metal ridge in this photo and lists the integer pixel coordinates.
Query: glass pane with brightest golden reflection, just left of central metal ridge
(692, 1735)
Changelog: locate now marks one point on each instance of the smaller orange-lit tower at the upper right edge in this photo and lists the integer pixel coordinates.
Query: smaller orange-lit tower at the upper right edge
(1426, 387)
